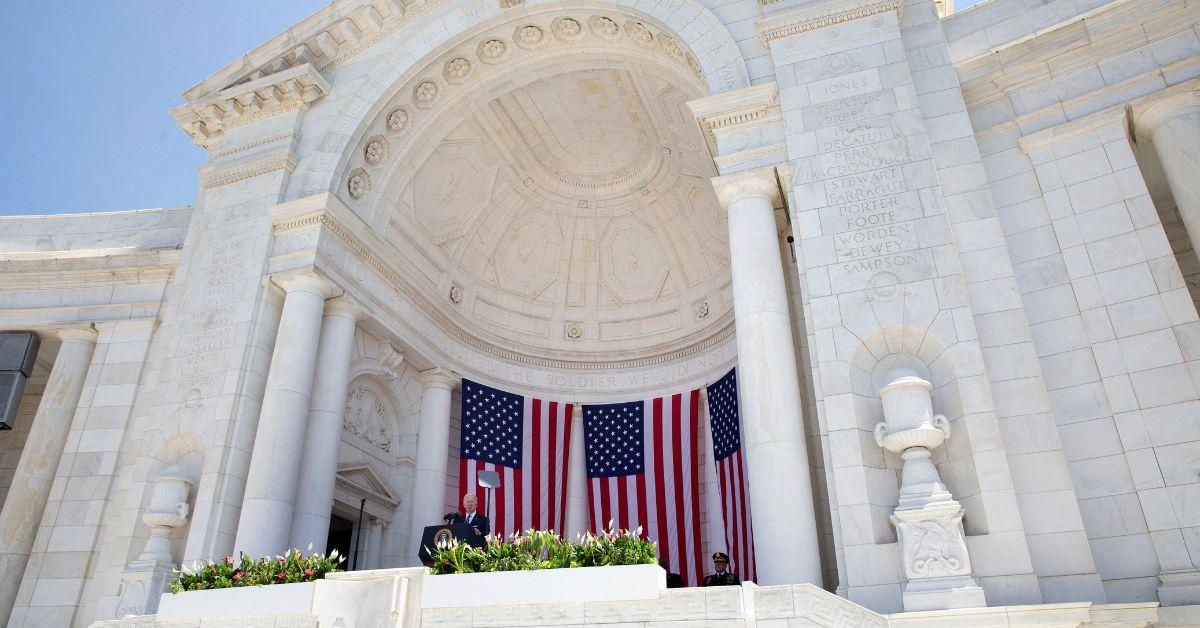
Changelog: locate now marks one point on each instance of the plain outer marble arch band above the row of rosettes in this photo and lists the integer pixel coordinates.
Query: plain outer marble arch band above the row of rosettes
(701, 35)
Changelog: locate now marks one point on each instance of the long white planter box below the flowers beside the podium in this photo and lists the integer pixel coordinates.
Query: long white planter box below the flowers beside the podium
(544, 587)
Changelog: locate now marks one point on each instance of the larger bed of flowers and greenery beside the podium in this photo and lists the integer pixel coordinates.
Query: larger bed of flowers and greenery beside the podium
(541, 549)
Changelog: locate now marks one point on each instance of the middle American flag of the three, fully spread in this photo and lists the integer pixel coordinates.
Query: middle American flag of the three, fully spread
(643, 471)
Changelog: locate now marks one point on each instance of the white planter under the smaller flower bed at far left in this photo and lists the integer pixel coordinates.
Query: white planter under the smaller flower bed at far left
(237, 601)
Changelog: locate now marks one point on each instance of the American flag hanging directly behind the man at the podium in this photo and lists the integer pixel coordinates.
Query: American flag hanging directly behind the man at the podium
(527, 441)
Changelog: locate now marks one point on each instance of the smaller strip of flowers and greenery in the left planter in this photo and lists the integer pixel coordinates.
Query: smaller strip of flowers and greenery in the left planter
(292, 567)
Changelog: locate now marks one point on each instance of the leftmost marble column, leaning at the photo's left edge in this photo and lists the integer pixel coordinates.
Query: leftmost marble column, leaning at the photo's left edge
(31, 488)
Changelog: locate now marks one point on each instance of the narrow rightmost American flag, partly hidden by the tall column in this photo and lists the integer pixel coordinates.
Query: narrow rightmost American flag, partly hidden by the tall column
(731, 475)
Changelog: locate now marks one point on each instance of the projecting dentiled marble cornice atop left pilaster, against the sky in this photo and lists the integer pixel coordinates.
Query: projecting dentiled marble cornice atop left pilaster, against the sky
(207, 119)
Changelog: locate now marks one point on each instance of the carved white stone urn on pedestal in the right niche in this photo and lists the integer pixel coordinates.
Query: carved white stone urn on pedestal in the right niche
(928, 521)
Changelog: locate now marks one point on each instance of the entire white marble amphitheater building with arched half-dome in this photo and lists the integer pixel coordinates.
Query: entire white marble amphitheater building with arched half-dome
(879, 211)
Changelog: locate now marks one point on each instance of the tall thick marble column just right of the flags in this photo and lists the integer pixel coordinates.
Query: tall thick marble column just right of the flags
(784, 518)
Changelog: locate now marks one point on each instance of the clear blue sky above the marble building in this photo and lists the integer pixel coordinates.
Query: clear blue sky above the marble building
(86, 88)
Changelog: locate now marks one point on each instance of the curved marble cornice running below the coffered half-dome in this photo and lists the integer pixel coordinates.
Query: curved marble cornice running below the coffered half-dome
(328, 218)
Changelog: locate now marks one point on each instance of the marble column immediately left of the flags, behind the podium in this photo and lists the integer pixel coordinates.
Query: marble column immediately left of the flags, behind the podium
(433, 454)
